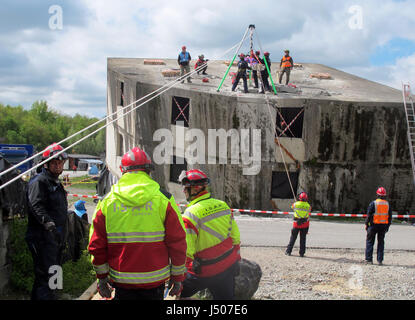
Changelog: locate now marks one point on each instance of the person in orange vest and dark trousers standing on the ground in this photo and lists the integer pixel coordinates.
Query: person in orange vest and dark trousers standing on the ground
(378, 221)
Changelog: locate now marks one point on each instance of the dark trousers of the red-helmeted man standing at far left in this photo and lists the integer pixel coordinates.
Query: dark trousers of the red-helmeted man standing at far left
(45, 253)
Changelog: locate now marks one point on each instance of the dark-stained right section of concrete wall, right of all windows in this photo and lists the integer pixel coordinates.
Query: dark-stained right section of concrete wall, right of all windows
(351, 150)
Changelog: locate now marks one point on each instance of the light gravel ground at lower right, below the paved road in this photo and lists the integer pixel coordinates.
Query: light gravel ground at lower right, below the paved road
(332, 274)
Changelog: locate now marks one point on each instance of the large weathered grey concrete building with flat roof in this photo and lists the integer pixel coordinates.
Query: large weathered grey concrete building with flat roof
(349, 135)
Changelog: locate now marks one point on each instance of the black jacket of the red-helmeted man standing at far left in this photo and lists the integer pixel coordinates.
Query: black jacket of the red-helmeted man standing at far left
(47, 201)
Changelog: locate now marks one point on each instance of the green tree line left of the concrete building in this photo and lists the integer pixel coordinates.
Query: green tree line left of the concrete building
(41, 126)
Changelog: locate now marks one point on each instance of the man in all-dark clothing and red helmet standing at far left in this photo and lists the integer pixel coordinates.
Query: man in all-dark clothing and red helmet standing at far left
(47, 214)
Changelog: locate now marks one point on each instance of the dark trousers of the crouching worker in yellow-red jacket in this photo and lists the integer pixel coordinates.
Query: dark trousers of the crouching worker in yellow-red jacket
(221, 286)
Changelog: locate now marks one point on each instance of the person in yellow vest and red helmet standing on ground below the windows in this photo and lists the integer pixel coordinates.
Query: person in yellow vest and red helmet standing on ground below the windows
(301, 223)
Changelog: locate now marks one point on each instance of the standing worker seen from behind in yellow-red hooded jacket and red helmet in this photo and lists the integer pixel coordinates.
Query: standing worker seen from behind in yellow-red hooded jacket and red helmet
(137, 238)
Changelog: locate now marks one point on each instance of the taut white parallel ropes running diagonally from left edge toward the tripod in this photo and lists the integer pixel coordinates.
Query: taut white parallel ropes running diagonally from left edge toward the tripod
(168, 87)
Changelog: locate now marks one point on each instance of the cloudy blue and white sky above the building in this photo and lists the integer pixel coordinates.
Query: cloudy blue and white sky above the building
(57, 50)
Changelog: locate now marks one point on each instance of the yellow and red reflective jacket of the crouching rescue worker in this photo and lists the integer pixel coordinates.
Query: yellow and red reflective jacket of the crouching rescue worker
(211, 232)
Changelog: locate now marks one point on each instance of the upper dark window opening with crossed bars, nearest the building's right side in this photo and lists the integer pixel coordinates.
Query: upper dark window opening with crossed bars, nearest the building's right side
(284, 118)
